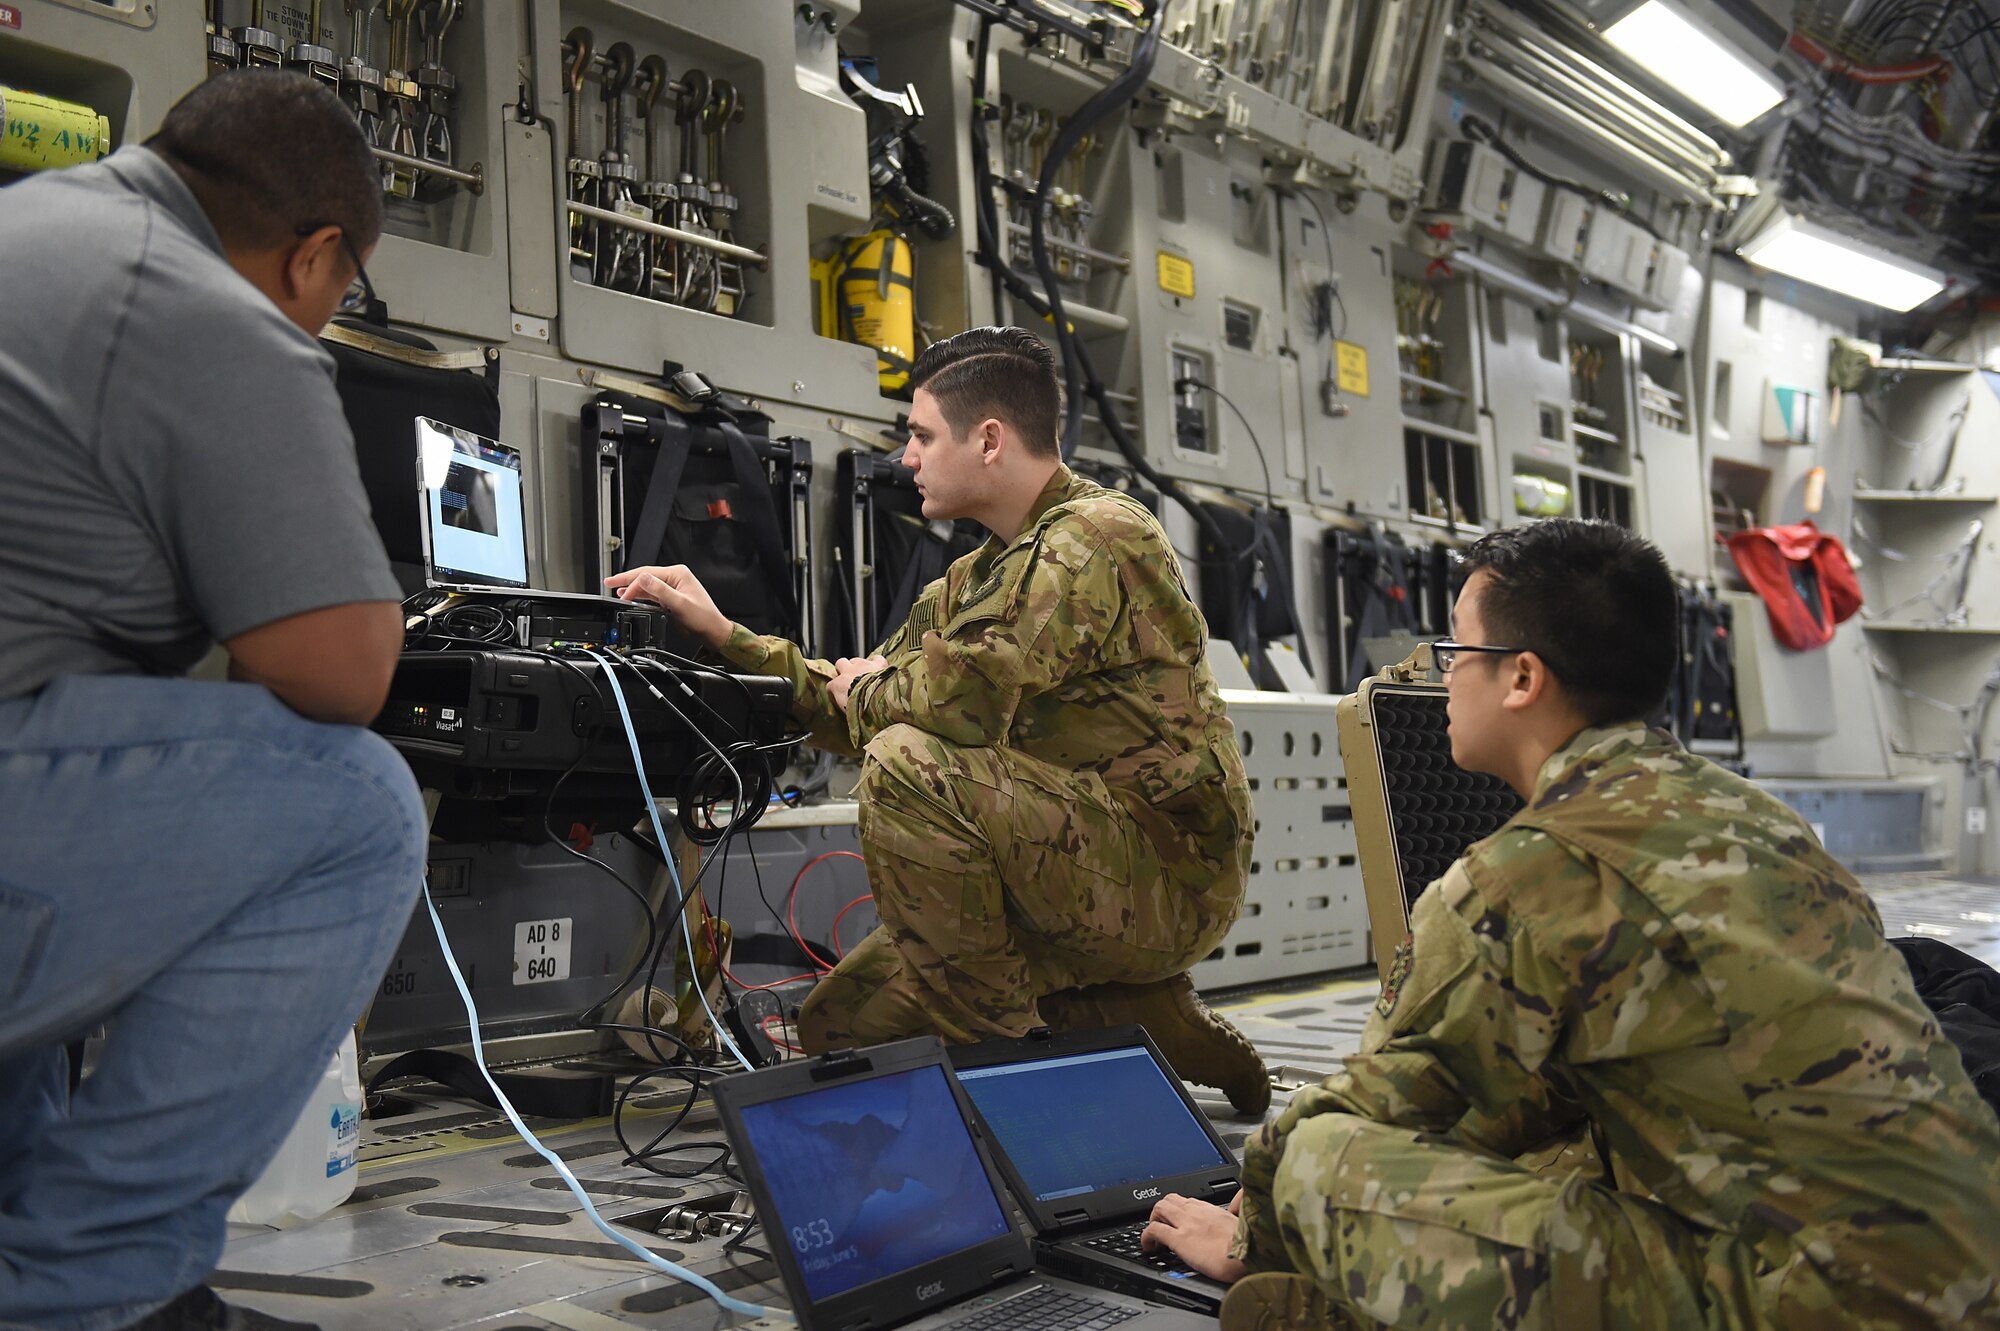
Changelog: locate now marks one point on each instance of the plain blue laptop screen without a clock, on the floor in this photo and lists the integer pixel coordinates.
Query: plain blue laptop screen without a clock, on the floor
(1087, 1122)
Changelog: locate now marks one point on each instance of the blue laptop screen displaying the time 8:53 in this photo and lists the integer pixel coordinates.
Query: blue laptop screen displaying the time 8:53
(873, 1178)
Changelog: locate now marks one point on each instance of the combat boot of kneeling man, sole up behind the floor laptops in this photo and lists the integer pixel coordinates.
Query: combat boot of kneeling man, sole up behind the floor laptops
(1201, 1046)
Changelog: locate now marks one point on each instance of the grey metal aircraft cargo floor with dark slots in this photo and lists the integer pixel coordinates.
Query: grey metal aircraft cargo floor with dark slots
(457, 1224)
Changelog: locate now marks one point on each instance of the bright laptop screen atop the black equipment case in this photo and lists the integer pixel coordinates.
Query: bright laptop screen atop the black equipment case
(473, 507)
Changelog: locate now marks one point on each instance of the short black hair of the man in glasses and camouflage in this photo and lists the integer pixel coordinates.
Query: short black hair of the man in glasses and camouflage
(1593, 601)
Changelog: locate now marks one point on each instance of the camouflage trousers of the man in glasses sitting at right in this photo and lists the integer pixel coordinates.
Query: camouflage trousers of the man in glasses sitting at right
(1401, 1228)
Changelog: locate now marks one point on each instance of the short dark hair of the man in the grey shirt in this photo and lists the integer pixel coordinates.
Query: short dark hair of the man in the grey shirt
(271, 155)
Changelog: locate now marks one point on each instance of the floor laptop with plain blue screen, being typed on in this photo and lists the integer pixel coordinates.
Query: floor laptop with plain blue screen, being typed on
(1091, 1130)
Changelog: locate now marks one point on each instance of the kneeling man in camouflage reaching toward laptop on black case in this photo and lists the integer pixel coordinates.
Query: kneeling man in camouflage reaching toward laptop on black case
(1053, 806)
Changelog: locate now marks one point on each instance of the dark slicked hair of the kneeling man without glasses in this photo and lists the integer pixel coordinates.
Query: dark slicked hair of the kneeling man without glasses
(995, 373)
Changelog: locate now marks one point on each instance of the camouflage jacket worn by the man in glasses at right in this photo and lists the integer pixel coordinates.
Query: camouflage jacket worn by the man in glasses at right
(1661, 948)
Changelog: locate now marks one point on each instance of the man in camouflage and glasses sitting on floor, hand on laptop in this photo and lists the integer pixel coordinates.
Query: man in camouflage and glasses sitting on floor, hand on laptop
(1645, 1058)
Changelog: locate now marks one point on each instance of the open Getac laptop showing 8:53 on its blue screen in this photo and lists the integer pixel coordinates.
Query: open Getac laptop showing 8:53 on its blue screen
(883, 1210)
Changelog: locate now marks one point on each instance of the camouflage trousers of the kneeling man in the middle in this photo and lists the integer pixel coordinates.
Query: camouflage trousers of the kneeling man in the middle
(999, 878)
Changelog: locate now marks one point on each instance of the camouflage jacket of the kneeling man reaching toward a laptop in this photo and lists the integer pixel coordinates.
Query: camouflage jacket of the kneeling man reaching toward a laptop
(1075, 645)
